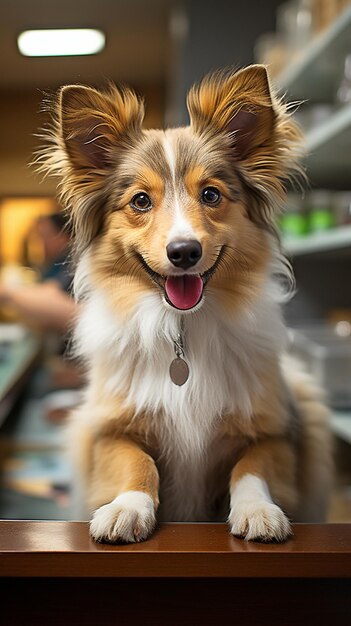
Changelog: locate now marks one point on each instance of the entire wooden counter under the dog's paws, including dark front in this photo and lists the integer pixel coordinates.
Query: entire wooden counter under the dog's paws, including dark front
(186, 574)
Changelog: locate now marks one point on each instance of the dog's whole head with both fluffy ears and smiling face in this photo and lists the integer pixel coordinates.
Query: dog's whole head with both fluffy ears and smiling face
(187, 212)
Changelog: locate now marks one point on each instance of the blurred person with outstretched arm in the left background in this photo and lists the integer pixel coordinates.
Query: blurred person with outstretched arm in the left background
(48, 307)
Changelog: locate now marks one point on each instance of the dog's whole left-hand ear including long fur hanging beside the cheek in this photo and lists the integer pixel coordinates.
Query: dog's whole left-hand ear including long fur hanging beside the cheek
(89, 130)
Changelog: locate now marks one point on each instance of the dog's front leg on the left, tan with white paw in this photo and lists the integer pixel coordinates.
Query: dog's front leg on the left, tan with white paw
(124, 491)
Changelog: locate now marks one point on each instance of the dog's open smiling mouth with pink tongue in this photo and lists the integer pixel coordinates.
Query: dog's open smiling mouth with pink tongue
(182, 291)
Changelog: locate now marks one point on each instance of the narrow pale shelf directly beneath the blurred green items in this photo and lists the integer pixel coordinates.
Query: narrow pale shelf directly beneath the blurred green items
(334, 239)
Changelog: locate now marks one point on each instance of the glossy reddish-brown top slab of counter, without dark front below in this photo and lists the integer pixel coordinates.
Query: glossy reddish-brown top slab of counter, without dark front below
(64, 549)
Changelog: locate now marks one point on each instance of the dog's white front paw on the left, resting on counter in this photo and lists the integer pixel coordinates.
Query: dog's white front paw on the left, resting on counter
(128, 518)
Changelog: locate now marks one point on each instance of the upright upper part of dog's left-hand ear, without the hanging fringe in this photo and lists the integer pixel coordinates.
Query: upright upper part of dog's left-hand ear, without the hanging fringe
(94, 125)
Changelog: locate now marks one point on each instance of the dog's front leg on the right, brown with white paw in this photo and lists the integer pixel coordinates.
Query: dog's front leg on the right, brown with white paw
(264, 475)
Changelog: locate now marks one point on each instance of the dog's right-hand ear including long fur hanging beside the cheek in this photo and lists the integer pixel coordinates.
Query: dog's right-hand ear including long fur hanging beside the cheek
(238, 110)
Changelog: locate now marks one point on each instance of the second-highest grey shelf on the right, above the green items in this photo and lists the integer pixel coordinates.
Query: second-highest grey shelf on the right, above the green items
(328, 151)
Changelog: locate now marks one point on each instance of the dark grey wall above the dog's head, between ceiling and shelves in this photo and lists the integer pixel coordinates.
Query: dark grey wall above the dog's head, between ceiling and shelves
(211, 35)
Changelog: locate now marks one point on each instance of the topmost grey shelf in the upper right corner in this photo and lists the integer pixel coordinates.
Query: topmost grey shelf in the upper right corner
(315, 75)
